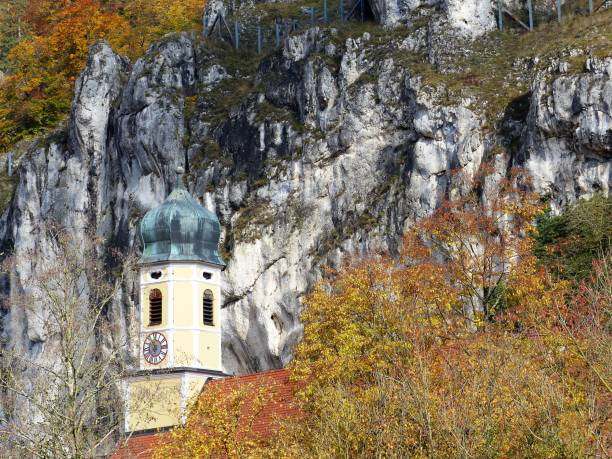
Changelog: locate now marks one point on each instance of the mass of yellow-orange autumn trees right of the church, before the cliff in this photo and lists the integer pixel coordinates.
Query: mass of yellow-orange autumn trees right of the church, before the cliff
(460, 350)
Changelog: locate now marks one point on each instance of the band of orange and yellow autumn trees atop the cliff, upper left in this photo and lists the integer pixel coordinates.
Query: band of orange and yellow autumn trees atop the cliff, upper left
(44, 66)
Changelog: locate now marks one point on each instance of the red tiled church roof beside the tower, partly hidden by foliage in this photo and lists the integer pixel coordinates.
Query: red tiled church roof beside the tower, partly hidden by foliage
(280, 405)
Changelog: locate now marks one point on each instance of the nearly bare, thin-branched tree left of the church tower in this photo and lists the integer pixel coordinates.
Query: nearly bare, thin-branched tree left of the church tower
(61, 399)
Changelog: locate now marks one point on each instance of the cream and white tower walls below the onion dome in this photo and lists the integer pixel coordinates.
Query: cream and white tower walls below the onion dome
(160, 400)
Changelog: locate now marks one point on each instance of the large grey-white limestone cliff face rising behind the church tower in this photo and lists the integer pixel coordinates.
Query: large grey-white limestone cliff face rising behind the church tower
(329, 152)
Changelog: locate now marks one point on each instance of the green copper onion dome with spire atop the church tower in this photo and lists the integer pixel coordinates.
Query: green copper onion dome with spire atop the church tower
(180, 229)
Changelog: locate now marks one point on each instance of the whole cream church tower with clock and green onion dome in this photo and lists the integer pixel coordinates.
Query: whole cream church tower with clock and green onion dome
(180, 297)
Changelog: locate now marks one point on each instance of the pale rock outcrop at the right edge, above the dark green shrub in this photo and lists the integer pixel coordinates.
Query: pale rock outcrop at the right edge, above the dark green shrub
(567, 142)
